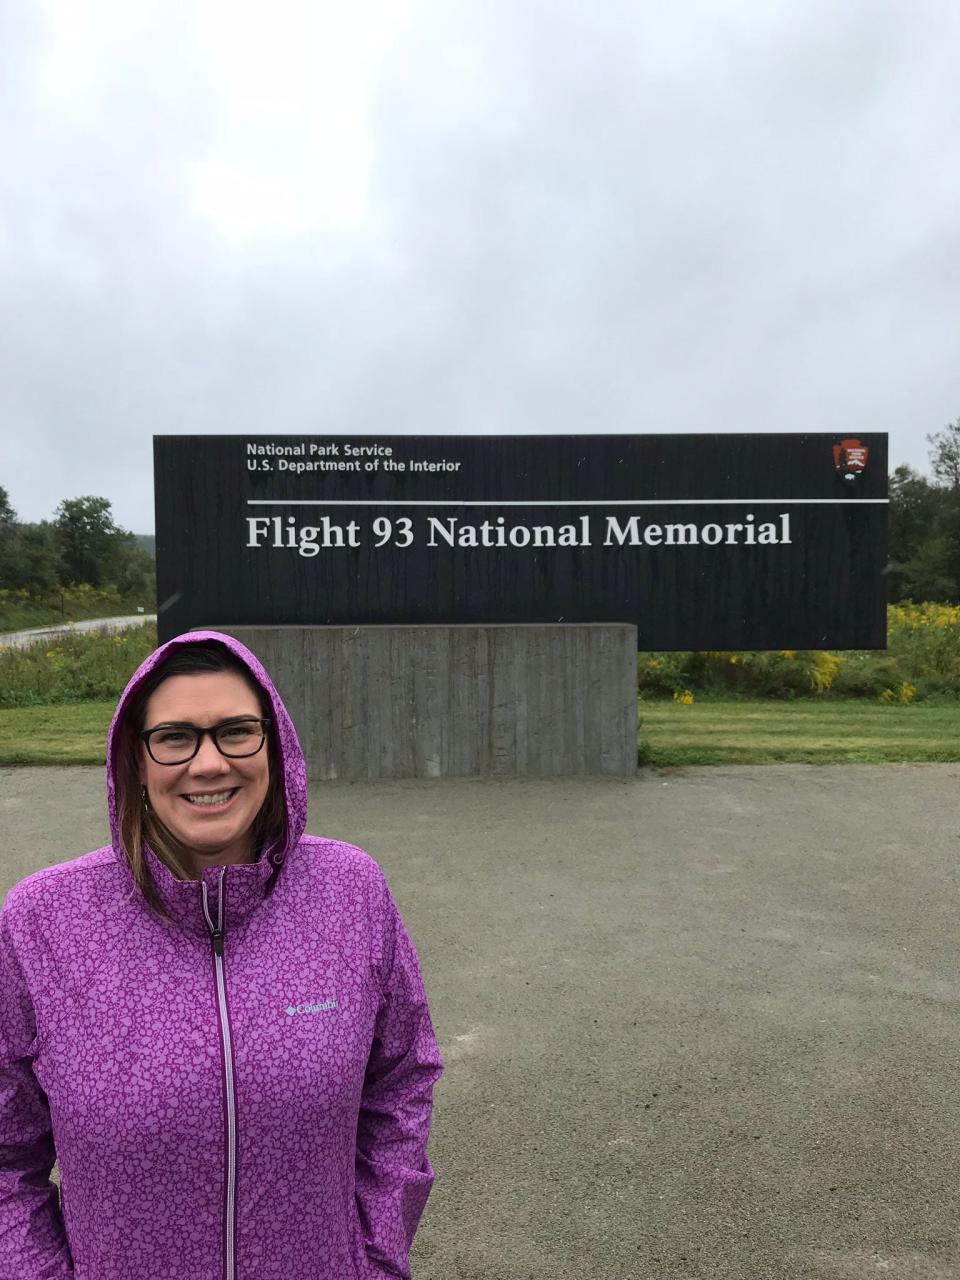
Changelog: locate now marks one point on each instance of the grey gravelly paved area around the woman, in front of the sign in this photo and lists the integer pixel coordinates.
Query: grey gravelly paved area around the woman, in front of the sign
(700, 1025)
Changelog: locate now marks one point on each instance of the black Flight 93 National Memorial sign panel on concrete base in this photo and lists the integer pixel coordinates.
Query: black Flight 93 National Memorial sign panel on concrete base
(705, 542)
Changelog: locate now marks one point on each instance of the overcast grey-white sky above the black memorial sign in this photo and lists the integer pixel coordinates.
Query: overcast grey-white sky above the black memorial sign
(469, 216)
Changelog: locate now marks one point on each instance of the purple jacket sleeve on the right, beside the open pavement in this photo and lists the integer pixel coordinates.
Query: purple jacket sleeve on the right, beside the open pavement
(394, 1176)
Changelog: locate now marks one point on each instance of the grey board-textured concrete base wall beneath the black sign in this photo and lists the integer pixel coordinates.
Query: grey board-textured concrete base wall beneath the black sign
(456, 702)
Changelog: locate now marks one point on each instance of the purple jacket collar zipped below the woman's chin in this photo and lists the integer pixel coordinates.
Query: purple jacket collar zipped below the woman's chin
(245, 886)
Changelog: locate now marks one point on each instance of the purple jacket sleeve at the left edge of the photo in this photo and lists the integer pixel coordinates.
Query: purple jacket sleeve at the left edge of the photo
(33, 1238)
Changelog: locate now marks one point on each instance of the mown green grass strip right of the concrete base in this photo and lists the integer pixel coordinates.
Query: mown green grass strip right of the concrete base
(798, 733)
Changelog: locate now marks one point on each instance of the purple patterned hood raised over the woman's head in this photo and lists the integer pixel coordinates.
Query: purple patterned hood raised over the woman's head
(290, 757)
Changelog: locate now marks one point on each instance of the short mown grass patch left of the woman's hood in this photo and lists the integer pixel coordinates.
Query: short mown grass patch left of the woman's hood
(71, 734)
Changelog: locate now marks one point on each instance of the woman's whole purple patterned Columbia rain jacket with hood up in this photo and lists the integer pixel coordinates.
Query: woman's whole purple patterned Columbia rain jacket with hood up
(243, 1117)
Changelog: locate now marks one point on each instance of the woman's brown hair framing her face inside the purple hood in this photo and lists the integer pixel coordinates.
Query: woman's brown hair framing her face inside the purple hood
(136, 824)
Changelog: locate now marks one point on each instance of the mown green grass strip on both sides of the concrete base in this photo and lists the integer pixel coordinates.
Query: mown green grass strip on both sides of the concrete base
(671, 734)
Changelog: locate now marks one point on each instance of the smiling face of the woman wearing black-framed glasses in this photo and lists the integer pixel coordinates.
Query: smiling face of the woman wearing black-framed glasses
(208, 804)
